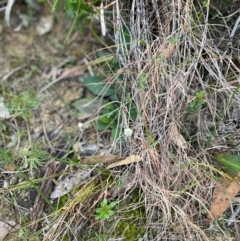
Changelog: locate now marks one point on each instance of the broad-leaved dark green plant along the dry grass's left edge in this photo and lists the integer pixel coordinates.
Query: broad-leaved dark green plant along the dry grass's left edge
(109, 117)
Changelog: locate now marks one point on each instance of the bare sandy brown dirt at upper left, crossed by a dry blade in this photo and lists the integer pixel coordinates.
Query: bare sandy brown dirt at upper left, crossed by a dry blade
(48, 54)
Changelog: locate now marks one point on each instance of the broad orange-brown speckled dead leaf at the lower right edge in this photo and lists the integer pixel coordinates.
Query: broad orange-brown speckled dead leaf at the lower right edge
(222, 196)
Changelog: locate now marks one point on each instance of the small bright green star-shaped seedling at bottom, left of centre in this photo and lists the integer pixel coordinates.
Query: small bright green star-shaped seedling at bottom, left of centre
(105, 211)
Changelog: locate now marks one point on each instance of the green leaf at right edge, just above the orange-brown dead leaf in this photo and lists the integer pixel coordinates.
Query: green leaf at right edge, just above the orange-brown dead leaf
(230, 163)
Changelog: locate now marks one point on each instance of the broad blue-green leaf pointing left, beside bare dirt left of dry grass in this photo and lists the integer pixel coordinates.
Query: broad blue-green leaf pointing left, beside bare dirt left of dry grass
(97, 86)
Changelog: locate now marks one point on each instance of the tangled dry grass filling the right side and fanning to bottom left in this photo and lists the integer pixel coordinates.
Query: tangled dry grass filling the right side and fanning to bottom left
(174, 53)
